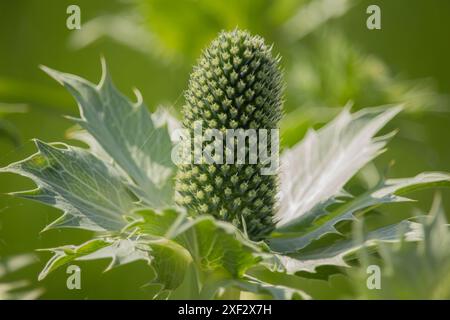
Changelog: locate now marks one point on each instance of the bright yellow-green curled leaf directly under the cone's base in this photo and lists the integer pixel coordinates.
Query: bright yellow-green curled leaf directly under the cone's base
(213, 245)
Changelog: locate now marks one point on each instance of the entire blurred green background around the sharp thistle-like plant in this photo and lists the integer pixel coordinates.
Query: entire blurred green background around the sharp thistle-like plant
(329, 58)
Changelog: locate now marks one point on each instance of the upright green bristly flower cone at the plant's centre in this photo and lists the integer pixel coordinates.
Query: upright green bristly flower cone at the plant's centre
(236, 85)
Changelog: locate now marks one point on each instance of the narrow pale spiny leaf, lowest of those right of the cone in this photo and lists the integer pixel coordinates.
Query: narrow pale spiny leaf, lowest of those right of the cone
(335, 254)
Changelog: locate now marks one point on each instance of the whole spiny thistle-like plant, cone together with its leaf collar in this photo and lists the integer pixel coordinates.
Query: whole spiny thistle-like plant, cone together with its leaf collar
(122, 187)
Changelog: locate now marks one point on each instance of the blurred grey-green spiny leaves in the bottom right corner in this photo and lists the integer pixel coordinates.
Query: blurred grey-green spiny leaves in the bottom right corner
(411, 271)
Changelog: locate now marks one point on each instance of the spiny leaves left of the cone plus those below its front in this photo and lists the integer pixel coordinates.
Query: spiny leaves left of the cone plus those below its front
(102, 190)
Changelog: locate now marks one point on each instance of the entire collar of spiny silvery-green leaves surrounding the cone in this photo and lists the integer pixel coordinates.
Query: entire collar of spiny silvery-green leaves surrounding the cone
(119, 185)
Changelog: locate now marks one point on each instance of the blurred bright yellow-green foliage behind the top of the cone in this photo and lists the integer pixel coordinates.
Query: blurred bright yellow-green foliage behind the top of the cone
(324, 70)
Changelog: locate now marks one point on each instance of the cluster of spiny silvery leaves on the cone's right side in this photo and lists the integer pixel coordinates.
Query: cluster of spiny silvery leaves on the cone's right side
(313, 201)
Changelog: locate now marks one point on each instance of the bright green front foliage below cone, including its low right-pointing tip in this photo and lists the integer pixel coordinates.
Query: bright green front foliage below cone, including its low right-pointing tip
(220, 252)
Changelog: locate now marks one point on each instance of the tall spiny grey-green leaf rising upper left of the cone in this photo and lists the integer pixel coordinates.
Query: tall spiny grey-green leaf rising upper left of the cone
(127, 133)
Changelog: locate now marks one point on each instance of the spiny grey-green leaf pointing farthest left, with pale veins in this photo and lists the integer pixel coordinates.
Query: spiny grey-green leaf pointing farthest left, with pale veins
(90, 192)
